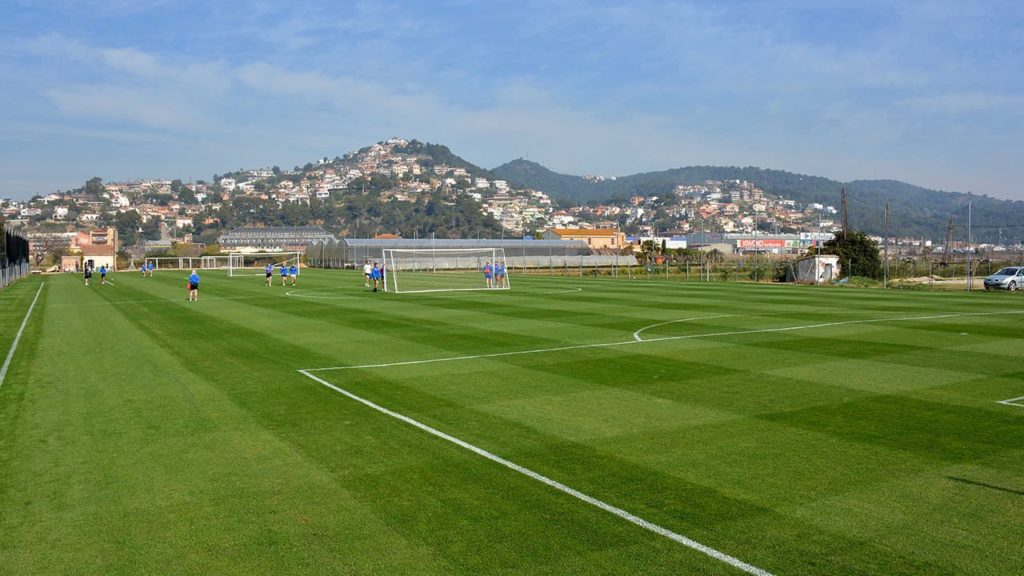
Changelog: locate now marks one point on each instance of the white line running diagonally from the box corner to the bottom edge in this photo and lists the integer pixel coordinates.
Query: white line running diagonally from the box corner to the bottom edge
(705, 550)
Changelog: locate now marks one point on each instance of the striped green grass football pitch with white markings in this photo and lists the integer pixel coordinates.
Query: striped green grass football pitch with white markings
(288, 430)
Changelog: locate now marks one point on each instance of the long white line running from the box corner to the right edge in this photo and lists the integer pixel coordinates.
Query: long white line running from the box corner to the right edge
(664, 339)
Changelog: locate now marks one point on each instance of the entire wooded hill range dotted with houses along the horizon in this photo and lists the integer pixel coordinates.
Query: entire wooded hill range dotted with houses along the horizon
(412, 189)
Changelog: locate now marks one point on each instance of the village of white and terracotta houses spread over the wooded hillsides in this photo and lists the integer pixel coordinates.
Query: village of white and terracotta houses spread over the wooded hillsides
(350, 196)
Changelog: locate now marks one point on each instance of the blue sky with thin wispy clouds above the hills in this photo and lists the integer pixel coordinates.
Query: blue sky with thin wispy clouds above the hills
(926, 93)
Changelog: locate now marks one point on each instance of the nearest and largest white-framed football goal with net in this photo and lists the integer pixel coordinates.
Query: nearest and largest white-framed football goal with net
(445, 270)
